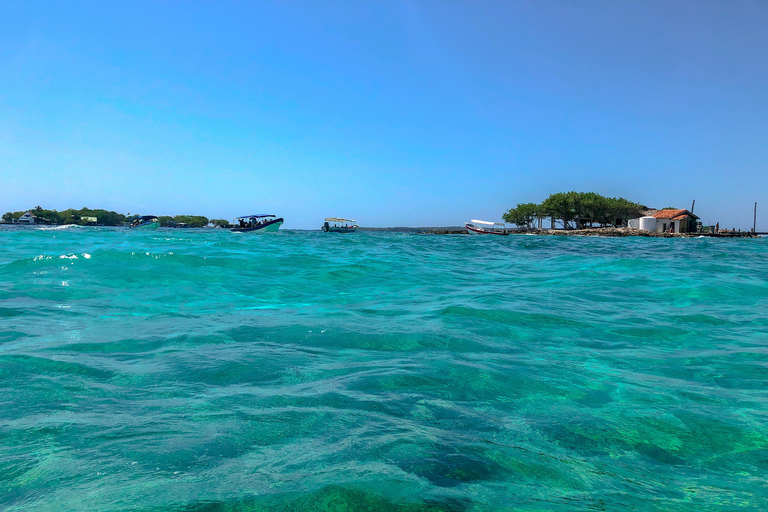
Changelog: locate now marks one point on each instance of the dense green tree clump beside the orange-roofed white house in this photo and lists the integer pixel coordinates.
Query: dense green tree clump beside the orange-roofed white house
(574, 210)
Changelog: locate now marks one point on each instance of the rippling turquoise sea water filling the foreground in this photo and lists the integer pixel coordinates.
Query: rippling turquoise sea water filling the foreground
(201, 370)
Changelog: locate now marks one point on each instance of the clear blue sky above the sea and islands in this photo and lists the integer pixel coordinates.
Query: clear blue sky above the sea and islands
(393, 113)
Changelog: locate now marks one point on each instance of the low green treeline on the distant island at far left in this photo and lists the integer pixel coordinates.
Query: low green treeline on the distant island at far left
(107, 218)
